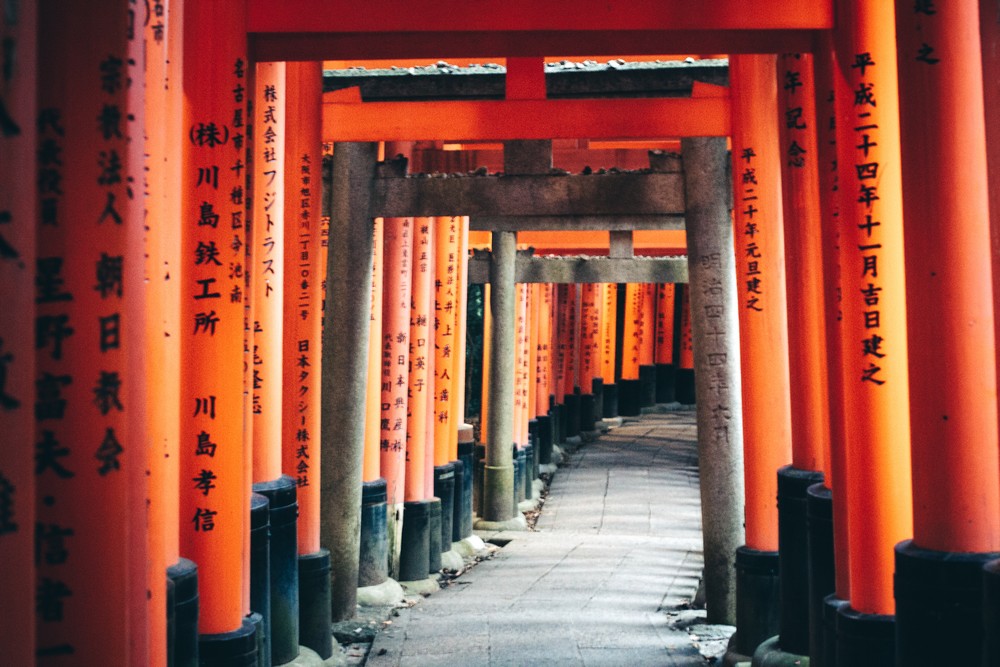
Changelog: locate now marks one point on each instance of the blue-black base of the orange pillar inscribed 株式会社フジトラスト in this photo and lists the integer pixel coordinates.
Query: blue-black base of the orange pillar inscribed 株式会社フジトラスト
(284, 564)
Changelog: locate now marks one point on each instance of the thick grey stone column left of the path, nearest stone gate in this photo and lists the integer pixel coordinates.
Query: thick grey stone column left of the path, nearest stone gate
(345, 365)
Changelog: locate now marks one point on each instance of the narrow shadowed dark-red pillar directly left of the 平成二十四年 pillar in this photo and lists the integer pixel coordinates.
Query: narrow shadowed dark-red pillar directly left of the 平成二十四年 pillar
(834, 474)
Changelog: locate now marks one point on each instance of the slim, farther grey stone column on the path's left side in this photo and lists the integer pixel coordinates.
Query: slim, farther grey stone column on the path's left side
(498, 476)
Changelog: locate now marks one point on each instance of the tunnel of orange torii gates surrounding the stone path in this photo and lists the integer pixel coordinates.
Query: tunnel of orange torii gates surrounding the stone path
(224, 426)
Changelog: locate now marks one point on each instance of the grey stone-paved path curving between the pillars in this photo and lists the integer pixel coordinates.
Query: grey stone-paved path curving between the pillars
(607, 578)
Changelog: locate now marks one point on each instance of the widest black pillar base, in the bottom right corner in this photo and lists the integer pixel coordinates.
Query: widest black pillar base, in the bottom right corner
(939, 599)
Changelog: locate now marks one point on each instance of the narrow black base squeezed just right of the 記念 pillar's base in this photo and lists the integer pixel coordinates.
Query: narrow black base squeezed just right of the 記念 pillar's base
(822, 572)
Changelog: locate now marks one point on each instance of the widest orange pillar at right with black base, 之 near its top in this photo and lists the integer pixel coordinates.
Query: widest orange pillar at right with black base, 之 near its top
(950, 299)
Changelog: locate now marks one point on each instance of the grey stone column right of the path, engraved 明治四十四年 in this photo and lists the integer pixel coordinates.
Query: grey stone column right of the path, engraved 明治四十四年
(714, 324)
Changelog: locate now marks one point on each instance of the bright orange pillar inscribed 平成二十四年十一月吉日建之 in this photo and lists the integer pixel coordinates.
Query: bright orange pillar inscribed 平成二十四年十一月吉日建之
(875, 348)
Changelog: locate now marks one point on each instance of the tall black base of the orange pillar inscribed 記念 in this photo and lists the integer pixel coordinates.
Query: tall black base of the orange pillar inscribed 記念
(793, 548)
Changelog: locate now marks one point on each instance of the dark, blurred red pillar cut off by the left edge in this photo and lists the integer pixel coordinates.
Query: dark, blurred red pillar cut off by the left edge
(19, 205)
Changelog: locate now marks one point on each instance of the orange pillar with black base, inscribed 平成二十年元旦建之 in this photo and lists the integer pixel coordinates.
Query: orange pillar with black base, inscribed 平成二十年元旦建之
(760, 275)
